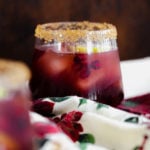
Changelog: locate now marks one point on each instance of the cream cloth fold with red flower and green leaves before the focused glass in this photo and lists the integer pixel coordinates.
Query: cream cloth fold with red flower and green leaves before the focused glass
(87, 122)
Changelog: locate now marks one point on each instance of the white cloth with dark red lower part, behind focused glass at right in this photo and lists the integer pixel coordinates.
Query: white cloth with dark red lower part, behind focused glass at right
(136, 82)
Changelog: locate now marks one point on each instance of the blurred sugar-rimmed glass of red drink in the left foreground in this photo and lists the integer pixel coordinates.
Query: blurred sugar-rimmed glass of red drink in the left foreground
(15, 127)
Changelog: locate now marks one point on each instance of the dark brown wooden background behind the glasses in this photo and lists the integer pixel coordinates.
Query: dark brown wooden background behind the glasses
(18, 19)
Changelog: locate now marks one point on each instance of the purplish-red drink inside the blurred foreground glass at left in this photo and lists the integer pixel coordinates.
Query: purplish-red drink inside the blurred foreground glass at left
(15, 131)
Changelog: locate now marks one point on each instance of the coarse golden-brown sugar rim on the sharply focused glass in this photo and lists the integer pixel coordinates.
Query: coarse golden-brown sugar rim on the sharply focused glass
(75, 31)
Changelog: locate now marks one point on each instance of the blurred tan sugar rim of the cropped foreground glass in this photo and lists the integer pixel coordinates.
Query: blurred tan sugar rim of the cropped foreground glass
(14, 73)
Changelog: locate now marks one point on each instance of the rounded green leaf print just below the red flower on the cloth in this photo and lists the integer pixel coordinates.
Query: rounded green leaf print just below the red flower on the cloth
(87, 138)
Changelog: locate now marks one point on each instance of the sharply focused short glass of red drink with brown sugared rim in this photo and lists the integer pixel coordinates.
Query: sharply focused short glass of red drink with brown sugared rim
(77, 58)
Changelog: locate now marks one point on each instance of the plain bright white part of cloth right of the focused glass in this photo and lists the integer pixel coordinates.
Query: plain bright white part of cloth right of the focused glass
(136, 77)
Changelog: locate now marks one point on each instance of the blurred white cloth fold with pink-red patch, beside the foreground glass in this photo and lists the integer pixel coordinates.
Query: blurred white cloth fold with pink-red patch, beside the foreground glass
(48, 136)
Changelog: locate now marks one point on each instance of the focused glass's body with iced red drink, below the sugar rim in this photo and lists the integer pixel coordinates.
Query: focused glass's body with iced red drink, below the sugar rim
(77, 68)
